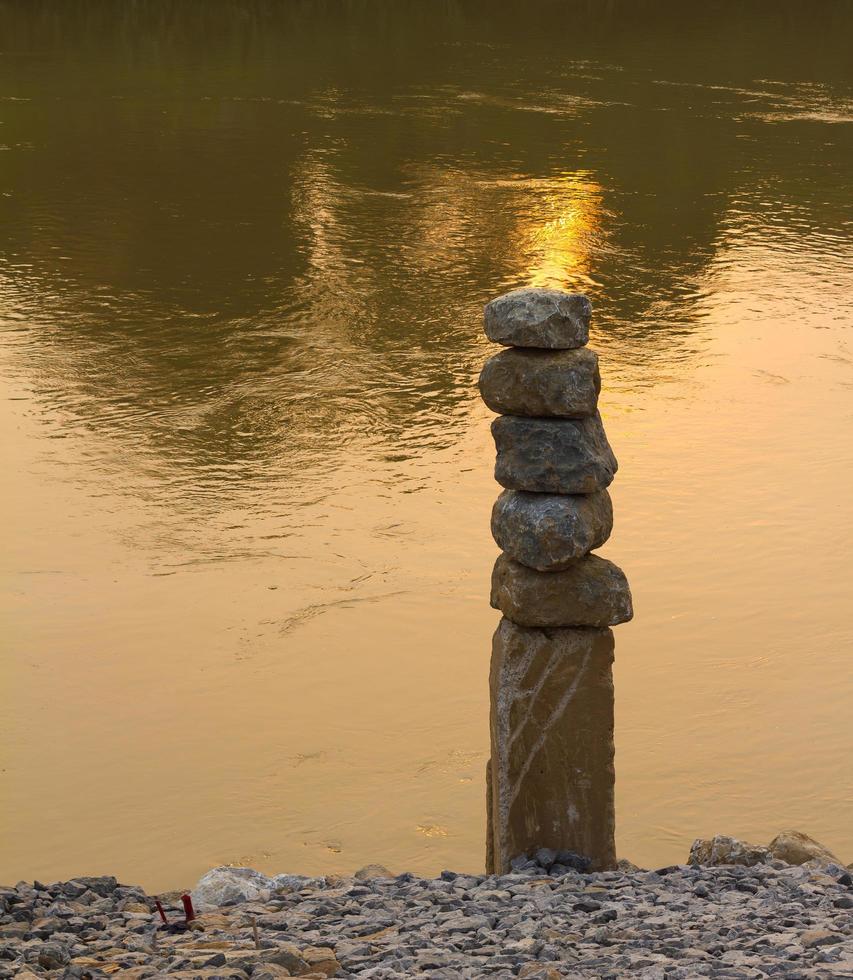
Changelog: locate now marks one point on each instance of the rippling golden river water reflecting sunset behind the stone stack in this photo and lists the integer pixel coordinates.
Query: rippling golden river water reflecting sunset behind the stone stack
(246, 474)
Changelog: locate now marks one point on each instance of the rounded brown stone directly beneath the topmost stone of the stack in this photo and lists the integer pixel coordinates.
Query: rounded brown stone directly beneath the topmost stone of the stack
(559, 383)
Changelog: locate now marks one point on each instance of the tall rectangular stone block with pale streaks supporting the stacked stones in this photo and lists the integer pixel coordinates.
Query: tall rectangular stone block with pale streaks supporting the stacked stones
(552, 743)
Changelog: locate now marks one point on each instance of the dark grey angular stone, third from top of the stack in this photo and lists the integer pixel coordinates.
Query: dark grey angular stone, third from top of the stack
(553, 455)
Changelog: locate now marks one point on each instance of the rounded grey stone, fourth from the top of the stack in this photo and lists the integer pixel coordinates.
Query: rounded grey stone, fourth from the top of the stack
(548, 531)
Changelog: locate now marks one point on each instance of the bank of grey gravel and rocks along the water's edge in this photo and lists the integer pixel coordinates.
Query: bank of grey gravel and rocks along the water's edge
(760, 918)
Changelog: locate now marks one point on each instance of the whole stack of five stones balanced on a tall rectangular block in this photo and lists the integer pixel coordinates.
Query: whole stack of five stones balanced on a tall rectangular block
(550, 779)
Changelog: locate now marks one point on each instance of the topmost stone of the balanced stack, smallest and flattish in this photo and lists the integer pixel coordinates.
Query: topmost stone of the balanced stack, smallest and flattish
(548, 318)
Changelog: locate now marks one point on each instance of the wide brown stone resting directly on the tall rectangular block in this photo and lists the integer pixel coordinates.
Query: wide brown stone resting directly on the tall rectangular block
(590, 592)
